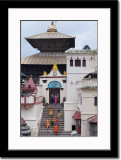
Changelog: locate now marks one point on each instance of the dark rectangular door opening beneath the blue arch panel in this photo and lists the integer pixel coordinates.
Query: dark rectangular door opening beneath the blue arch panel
(54, 91)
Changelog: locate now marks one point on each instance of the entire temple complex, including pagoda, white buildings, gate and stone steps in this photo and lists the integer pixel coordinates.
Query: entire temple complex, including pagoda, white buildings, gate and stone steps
(71, 75)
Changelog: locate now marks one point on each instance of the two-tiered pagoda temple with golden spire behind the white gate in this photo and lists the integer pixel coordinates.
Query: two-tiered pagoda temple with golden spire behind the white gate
(51, 46)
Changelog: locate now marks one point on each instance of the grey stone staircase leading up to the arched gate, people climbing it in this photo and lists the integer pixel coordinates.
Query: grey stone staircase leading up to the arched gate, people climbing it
(44, 131)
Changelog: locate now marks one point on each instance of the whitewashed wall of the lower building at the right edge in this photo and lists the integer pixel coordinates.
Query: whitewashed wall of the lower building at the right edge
(87, 108)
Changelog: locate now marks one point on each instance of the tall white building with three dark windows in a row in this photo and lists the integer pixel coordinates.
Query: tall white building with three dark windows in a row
(79, 64)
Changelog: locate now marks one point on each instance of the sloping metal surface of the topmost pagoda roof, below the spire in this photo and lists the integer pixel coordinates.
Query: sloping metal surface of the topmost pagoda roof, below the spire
(50, 35)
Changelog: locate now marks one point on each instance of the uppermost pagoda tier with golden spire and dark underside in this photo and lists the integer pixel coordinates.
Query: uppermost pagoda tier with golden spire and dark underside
(52, 40)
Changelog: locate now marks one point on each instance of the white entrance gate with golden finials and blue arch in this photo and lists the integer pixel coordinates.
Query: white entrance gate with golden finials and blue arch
(53, 84)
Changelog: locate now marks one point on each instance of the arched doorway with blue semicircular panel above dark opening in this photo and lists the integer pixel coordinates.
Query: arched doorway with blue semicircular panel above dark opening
(54, 89)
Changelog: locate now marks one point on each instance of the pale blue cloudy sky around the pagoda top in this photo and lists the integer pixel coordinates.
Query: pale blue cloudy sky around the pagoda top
(84, 31)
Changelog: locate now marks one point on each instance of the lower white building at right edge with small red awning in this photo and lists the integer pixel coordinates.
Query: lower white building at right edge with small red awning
(87, 103)
